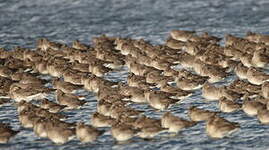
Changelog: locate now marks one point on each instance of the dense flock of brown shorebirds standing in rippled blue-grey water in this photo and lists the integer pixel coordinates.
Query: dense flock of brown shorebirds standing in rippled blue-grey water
(153, 80)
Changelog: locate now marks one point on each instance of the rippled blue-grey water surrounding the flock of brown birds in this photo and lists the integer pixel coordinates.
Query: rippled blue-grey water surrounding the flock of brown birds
(22, 22)
